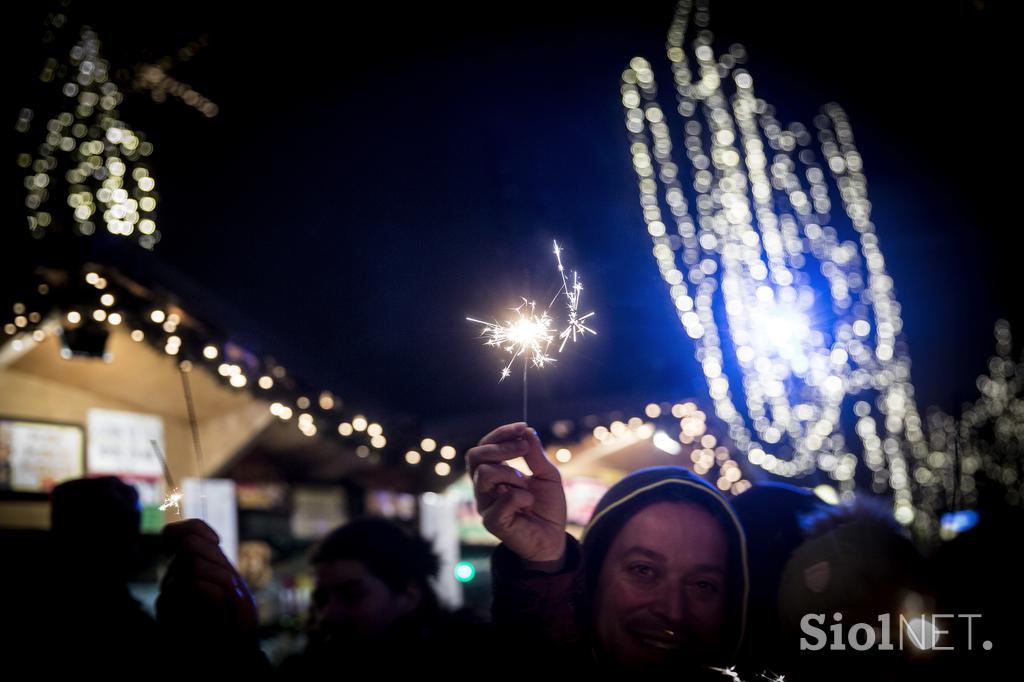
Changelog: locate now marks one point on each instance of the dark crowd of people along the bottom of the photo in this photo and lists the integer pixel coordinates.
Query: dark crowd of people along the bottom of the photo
(670, 580)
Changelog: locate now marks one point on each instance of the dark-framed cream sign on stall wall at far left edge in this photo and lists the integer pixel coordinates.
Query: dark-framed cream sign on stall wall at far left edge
(37, 456)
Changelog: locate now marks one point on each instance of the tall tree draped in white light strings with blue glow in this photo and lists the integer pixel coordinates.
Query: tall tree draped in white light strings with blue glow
(756, 248)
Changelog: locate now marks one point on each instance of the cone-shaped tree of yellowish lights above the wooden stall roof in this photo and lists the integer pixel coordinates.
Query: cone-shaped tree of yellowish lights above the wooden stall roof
(90, 151)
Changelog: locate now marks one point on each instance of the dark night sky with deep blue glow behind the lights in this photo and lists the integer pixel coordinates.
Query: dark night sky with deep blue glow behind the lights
(377, 174)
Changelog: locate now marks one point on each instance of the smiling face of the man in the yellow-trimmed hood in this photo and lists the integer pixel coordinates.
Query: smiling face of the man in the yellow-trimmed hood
(661, 593)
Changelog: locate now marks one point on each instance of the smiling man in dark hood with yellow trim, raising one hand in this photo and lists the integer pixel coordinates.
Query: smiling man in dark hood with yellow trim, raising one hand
(659, 584)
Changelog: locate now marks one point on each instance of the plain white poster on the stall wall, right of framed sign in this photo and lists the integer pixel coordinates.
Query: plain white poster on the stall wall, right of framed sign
(121, 444)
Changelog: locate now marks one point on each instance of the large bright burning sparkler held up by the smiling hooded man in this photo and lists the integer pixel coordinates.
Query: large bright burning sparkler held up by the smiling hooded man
(530, 335)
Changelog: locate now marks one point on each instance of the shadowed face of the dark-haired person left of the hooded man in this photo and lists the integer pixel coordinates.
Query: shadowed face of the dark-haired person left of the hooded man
(352, 603)
